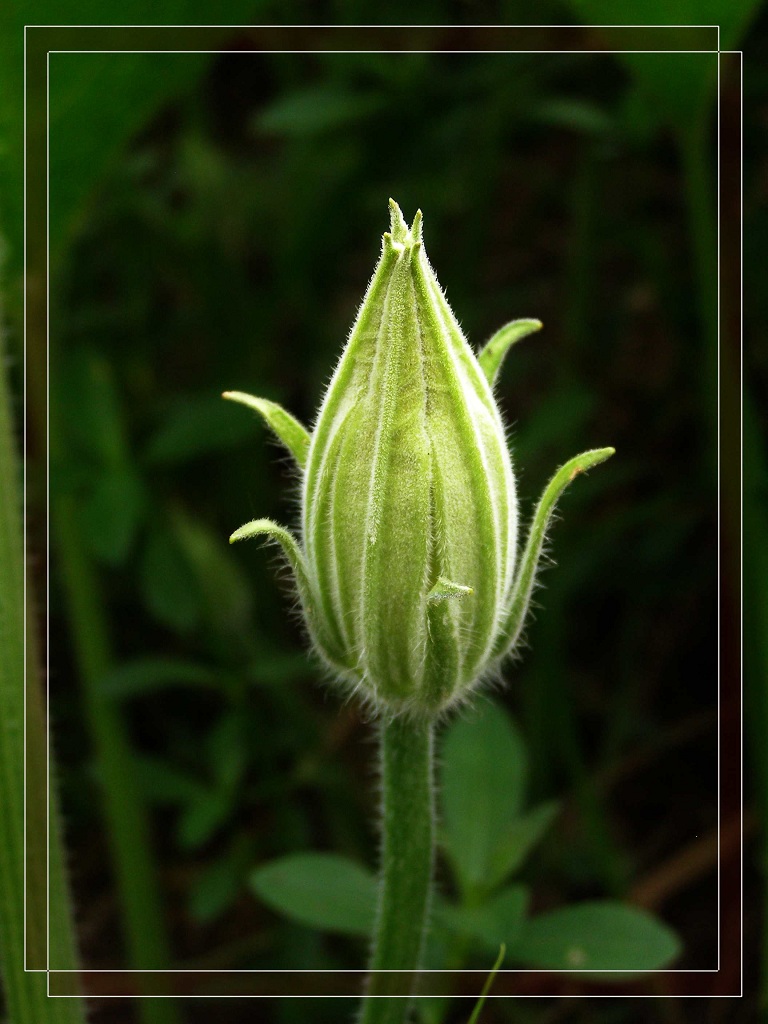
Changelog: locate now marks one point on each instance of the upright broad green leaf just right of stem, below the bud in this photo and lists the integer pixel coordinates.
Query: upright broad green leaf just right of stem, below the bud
(484, 776)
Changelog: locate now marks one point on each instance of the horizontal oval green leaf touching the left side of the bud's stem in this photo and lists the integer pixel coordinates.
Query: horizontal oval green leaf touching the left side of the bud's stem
(320, 890)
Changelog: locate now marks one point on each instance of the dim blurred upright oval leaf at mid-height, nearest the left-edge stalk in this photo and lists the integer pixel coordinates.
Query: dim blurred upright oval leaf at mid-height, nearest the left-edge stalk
(112, 515)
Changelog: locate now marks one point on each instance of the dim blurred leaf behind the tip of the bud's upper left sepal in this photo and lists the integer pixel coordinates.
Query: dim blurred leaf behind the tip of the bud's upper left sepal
(197, 425)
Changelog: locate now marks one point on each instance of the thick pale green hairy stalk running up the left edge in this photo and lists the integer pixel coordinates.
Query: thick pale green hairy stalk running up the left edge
(26, 998)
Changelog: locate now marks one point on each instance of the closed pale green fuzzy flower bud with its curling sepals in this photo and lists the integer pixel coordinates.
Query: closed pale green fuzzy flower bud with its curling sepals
(407, 575)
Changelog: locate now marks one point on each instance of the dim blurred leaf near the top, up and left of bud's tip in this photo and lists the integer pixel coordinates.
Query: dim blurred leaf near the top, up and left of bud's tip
(316, 111)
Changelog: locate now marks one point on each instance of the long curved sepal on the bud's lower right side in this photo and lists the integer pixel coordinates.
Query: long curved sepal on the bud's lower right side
(524, 587)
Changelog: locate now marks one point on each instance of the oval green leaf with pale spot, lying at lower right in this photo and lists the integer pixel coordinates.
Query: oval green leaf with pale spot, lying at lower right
(601, 936)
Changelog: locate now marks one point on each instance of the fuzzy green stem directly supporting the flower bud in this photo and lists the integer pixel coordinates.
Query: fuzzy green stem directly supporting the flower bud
(408, 856)
